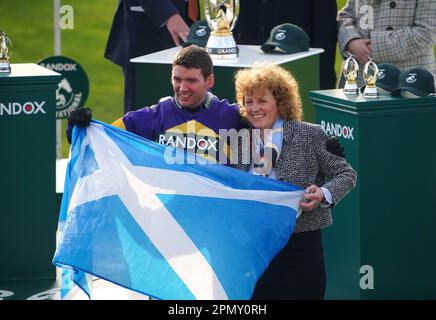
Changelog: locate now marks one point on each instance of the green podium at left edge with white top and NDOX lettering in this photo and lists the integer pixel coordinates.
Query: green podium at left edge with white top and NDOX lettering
(28, 216)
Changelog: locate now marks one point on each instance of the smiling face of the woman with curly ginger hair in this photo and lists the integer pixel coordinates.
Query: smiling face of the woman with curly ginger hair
(261, 108)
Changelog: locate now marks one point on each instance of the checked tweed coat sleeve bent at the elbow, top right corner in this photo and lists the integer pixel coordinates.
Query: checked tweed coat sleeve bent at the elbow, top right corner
(407, 42)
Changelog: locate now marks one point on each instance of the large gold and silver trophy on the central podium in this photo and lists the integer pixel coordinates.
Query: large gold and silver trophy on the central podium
(221, 15)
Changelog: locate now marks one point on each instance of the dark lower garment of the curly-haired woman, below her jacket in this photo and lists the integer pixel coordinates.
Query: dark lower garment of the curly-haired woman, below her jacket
(297, 272)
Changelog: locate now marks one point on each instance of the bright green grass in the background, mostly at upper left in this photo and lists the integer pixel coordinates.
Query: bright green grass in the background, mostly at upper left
(29, 24)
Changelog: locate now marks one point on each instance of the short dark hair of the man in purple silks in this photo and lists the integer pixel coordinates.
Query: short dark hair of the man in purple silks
(194, 57)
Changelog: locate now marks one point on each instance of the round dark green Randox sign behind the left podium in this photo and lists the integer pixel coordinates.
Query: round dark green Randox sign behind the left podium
(73, 89)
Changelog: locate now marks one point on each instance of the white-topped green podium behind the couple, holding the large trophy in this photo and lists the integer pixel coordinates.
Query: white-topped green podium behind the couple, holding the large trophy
(153, 74)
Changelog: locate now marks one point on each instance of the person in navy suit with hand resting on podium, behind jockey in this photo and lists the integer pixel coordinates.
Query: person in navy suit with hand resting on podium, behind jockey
(141, 27)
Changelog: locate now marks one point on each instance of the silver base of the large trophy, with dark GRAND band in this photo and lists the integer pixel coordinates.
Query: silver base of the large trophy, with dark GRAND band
(222, 47)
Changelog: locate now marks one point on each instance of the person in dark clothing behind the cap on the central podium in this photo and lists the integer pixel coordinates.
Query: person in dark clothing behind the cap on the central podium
(316, 17)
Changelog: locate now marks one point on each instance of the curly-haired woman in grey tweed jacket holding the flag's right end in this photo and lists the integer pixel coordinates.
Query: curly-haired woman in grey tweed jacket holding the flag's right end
(269, 99)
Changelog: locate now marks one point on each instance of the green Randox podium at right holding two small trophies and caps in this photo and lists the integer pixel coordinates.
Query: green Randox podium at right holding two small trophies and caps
(382, 242)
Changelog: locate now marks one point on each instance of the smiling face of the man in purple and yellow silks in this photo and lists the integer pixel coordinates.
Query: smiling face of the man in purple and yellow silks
(190, 86)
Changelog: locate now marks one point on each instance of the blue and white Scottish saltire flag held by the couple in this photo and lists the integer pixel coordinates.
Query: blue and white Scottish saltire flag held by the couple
(133, 216)
